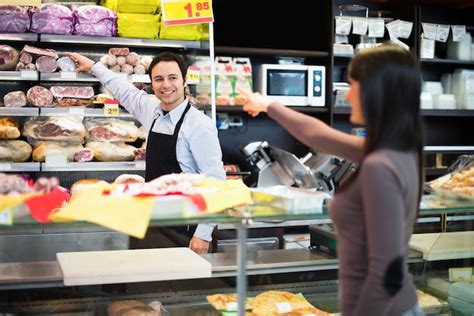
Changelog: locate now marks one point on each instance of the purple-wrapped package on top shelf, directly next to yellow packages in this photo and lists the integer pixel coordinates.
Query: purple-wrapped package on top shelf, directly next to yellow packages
(94, 20)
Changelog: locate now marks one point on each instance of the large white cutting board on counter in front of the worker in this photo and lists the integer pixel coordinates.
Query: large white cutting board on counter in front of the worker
(125, 266)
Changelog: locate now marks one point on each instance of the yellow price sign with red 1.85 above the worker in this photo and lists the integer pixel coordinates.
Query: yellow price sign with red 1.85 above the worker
(180, 12)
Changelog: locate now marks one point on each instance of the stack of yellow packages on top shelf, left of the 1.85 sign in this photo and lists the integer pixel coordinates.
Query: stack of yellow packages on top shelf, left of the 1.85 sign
(136, 18)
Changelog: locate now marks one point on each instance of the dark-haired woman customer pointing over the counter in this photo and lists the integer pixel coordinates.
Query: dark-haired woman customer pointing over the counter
(375, 211)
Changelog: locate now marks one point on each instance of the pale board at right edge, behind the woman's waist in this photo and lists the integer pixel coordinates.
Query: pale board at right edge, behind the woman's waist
(444, 246)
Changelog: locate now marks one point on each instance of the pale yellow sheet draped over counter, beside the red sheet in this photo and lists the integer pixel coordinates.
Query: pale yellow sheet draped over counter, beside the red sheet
(128, 215)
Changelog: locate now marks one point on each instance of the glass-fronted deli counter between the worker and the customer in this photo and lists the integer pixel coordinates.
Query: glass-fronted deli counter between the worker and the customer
(32, 280)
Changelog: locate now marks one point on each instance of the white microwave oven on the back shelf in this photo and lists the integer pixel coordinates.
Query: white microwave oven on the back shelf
(291, 84)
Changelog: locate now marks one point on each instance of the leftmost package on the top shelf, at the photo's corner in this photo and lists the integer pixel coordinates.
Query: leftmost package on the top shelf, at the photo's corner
(14, 19)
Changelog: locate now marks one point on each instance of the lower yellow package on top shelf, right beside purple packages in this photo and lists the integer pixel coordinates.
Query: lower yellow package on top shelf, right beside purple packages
(138, 25)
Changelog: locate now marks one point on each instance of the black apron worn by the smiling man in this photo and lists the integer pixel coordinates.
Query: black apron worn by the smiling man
(160, 160)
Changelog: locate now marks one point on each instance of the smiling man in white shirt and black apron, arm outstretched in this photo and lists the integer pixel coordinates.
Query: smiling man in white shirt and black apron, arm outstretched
(180, 137)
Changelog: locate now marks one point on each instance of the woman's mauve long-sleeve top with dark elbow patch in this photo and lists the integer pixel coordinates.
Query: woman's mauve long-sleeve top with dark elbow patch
(374, 217)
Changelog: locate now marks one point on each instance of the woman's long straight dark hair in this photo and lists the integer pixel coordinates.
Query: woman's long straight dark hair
(390, 85)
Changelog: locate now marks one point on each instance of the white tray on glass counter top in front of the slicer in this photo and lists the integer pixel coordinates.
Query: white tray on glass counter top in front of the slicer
(289, 199)
